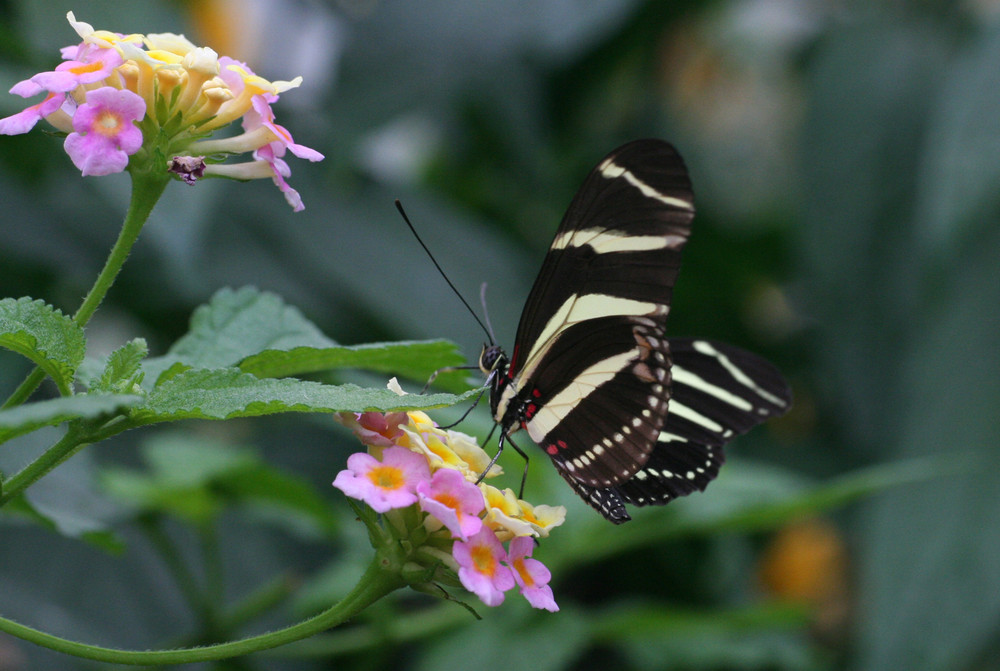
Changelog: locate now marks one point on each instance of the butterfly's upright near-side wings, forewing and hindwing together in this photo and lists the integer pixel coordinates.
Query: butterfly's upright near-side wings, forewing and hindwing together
(589, 374)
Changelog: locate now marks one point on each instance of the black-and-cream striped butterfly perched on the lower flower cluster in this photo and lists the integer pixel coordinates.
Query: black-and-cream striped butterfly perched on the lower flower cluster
(626, 415)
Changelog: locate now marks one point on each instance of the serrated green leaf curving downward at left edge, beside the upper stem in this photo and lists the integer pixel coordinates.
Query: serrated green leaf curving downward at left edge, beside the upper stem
(45, 335)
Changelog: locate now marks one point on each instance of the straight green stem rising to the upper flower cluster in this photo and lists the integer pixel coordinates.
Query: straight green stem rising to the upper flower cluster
(147, 187)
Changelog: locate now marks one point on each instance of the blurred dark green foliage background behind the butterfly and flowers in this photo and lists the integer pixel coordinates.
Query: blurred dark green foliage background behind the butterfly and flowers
(846, 162)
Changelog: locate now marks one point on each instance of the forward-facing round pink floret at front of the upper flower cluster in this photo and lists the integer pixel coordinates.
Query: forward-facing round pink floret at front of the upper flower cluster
(105, 135)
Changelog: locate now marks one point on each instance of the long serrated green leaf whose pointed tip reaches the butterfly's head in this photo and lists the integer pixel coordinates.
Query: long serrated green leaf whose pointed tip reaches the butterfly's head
(228, 392)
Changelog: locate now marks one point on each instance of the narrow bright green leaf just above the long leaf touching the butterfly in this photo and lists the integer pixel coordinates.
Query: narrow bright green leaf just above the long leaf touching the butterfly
(412, 359)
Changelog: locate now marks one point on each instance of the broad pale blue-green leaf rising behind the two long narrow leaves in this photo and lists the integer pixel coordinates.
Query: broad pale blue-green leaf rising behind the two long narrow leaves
(235, 324)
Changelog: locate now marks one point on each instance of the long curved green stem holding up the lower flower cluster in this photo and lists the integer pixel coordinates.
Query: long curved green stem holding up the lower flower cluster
(376, 583)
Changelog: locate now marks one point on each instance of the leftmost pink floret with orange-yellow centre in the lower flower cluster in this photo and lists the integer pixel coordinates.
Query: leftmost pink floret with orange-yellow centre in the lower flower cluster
(384, 485)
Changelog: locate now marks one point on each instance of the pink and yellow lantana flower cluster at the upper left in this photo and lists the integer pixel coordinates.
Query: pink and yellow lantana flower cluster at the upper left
(150, 102)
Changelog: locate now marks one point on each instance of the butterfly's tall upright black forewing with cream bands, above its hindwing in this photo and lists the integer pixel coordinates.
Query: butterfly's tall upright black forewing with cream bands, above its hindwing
(617, 249)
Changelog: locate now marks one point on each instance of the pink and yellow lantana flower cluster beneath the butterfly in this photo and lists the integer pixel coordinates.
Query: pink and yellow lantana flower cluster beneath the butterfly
(423, 479)
